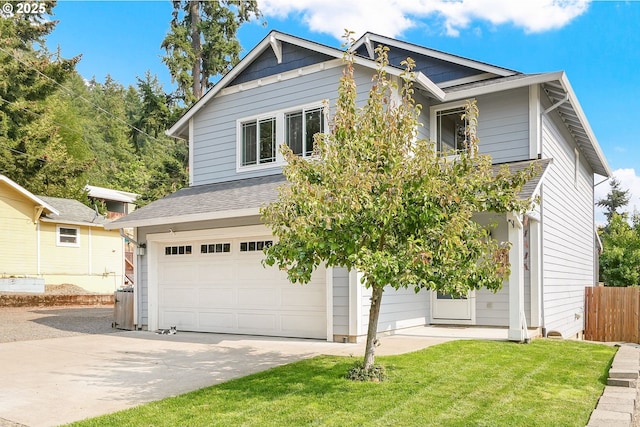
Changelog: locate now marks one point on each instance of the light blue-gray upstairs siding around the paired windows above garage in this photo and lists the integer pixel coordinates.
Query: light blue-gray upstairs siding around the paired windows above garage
(214, 144)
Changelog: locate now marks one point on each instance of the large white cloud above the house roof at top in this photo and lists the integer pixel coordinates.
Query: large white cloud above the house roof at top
(393, 17)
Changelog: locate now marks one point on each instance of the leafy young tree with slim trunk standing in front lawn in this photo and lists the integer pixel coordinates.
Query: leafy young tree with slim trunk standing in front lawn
(379, 200)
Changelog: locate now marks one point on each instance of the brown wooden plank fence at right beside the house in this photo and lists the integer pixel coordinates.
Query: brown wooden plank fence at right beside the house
(612, 314)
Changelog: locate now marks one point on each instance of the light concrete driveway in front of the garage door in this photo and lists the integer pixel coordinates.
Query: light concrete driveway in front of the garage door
(59, 380)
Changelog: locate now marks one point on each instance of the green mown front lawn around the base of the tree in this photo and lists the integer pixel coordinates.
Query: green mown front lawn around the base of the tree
(460, 383)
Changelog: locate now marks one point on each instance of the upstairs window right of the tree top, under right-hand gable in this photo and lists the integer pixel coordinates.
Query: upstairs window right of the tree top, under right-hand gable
(449, 128)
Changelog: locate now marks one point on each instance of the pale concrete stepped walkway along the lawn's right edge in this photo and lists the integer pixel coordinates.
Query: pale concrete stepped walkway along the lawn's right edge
(618, 406)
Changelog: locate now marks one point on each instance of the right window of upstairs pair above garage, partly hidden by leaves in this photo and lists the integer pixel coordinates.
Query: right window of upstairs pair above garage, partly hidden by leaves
(300, 127)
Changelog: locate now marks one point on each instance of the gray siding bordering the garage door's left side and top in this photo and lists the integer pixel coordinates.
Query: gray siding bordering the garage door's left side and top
(143, 262)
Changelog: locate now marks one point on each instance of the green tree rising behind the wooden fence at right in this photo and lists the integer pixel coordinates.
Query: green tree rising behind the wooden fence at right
(620, 258)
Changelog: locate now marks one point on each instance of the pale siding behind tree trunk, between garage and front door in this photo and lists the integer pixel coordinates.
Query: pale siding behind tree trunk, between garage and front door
(401, 308)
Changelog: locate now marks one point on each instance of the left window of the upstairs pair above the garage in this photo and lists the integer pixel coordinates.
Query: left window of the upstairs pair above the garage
(259, 142)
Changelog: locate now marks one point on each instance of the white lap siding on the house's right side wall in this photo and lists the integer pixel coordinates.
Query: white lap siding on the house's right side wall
(568, 236)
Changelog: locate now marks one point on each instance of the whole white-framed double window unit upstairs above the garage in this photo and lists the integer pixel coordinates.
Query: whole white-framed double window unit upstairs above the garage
(259, 137)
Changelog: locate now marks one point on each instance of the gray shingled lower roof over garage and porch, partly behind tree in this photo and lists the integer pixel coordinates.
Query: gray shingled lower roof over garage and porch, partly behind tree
(244, 198)
